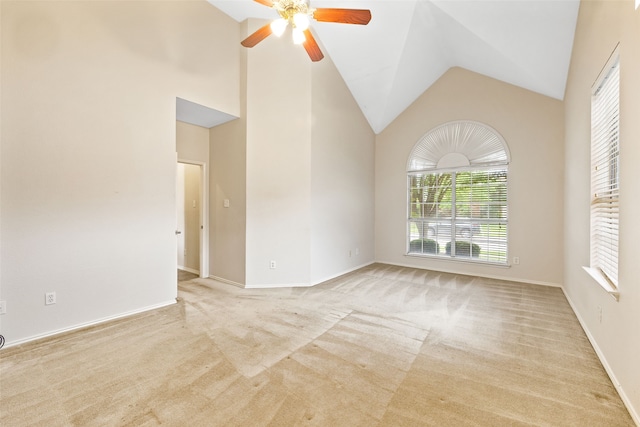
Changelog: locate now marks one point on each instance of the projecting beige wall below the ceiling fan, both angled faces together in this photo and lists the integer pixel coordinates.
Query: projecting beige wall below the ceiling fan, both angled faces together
(309, 169)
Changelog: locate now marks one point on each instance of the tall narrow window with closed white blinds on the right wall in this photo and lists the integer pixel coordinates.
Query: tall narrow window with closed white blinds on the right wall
(605, 177)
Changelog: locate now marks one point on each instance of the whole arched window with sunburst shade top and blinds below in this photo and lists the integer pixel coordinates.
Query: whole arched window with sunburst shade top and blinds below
(457, 193)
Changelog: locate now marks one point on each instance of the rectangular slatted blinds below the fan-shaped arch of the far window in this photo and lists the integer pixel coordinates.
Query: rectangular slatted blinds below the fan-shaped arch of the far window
(459, 215)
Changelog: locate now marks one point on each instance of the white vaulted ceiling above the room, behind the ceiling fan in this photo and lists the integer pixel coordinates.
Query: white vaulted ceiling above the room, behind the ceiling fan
(409, 44)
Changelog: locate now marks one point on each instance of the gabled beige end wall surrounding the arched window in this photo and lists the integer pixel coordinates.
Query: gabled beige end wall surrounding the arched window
(532, 126)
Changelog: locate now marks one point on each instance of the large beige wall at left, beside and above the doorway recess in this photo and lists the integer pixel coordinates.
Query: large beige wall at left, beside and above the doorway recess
(89, 154)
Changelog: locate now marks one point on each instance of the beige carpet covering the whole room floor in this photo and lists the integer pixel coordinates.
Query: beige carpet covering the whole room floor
(384, 346)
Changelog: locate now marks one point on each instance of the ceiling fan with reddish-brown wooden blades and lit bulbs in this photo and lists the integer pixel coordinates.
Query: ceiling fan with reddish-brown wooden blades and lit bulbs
(298, 14)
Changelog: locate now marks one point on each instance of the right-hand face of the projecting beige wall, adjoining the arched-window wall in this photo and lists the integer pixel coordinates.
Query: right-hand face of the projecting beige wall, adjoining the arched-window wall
(342, 178)
